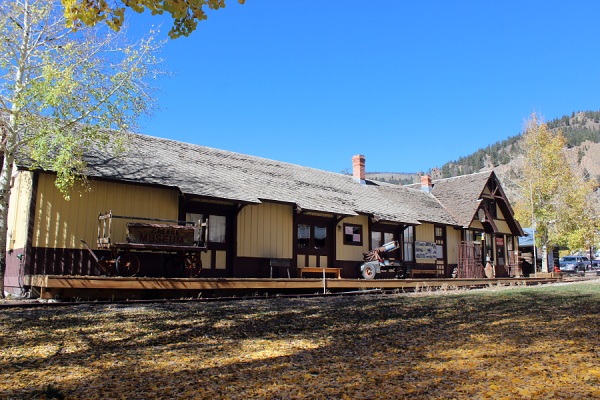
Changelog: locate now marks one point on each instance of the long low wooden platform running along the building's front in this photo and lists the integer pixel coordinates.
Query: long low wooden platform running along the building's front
(100, 287)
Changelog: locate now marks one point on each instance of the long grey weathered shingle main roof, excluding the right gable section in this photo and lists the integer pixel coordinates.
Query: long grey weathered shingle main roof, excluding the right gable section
(219, 174)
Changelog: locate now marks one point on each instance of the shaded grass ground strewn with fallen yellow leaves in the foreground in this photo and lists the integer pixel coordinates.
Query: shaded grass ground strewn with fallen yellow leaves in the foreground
(521, 343)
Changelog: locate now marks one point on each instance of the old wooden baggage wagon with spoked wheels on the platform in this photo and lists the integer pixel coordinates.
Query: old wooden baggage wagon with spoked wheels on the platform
(182, 240)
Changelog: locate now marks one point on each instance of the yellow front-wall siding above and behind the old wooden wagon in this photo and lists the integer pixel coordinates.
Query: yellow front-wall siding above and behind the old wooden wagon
(61, 224)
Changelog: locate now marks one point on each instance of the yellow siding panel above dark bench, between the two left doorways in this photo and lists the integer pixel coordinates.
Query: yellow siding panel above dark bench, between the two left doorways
(265, 230)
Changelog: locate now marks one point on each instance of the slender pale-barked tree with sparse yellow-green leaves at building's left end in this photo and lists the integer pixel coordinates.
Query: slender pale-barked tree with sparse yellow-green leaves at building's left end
(62, 91)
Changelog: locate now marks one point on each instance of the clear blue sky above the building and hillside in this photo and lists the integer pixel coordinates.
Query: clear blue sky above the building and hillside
(409, 84)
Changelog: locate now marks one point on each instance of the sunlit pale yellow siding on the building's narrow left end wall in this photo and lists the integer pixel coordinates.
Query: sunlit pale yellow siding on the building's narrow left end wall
(18, 211)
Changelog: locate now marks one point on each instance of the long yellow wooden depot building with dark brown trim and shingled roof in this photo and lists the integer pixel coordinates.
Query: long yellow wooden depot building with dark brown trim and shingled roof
(259, 210)
